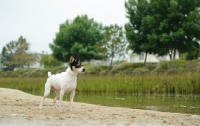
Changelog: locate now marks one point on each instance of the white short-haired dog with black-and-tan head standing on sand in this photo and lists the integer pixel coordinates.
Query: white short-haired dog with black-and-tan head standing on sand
(63, 83)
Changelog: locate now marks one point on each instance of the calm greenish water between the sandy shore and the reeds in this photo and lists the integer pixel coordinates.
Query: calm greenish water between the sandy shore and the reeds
(189, 104)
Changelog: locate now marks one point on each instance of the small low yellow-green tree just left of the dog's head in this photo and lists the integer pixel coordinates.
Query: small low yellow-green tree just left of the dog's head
(50, 62)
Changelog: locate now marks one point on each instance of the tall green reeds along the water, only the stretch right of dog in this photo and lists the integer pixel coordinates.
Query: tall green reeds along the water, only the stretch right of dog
(146, 84)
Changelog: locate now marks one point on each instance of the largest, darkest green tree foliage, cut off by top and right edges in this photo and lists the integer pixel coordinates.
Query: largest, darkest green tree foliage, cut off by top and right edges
(170, 25)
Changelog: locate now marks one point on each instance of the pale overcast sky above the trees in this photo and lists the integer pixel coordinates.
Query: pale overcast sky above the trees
(38, 20)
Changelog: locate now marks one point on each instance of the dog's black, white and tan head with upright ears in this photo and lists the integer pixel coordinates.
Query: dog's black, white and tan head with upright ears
(75, 65)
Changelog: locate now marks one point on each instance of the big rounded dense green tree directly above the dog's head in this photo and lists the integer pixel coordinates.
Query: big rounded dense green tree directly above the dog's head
(78, 37)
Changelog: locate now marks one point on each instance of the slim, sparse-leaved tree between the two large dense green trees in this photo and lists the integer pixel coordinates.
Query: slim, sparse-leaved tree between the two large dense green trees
(115, 43)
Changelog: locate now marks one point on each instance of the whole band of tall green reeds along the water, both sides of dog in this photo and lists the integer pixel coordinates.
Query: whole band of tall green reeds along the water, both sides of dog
(187, 83)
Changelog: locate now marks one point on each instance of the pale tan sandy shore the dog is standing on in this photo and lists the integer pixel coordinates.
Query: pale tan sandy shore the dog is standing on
(19, 109)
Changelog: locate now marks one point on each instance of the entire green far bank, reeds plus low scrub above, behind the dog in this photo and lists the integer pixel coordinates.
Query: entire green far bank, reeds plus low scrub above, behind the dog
(173, 77)
